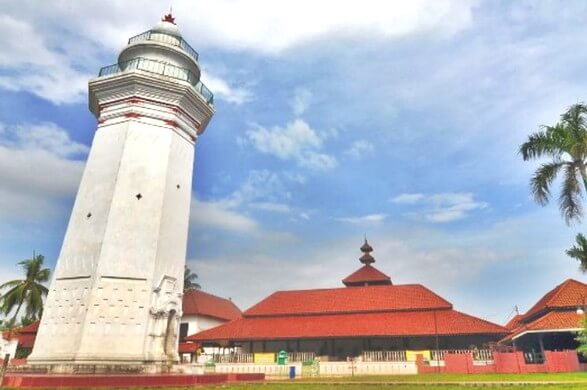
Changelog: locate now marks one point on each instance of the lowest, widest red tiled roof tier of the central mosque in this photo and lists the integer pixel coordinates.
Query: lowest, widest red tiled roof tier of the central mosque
(407, 323)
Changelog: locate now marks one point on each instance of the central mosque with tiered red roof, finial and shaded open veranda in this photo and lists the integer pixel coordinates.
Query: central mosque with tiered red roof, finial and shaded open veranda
(369, 313)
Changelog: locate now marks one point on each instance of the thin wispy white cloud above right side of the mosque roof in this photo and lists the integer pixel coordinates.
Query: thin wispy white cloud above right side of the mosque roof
(443, 207)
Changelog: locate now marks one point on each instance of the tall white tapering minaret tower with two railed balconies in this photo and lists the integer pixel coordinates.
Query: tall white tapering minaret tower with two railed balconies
(116, 294)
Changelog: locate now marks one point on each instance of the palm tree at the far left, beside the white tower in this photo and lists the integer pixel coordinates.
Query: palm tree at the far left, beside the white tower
(28, 292)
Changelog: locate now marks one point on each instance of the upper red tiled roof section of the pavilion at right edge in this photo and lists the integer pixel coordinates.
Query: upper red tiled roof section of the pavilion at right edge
(568, 294)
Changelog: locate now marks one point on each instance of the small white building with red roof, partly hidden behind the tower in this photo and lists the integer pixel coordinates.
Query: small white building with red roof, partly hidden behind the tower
(203, 311)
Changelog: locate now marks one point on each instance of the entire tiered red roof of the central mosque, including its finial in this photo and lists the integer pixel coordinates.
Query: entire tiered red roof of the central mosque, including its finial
(368, 306)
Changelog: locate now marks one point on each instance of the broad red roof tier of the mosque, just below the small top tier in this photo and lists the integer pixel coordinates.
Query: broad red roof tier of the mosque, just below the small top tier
(349, 300)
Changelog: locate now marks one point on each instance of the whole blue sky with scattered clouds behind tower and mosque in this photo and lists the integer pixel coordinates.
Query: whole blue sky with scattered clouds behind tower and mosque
(334, 120)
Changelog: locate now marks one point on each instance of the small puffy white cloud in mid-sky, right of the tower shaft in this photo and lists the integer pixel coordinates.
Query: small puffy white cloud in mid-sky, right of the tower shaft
(295, 141)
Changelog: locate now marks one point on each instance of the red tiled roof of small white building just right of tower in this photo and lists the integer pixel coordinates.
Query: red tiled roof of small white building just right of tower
(198, 302)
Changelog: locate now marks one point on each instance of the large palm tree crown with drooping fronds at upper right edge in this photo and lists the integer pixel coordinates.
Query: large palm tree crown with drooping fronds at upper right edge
(565, 145)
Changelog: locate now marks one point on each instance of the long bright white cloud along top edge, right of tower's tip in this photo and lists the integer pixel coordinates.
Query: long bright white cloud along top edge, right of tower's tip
(270, 26)
